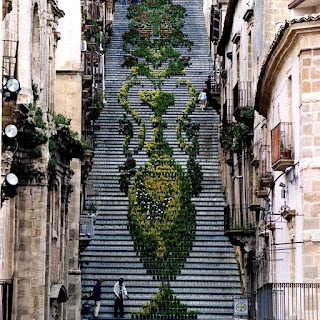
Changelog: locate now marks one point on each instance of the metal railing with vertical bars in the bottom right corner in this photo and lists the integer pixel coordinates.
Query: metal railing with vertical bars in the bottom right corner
(284, 301)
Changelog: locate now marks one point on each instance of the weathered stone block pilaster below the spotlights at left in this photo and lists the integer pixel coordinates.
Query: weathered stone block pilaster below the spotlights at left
(29, 286)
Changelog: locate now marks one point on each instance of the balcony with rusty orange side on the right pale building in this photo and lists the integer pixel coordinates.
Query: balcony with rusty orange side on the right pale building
(282, 140)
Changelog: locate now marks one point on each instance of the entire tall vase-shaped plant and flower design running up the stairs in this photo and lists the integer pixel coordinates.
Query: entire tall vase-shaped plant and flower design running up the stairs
(161, 215)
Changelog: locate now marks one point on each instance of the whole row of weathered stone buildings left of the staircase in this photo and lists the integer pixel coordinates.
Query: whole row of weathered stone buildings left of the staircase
(46, 152)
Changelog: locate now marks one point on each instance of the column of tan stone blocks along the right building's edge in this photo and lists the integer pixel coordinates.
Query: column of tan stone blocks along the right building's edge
(310, 163)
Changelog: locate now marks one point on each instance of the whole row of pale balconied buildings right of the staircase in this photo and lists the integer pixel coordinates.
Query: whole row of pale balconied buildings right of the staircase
(268, 97)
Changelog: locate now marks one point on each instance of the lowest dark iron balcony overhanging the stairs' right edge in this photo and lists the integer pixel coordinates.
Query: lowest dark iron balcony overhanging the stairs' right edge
(239, 223)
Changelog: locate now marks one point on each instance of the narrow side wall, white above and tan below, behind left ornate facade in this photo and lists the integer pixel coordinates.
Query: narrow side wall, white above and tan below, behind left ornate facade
(68, 101)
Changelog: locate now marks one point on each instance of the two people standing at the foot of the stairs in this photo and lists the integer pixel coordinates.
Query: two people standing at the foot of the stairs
(120, 292)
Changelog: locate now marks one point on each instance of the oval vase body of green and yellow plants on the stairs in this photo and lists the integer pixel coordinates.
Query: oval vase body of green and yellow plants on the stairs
(161, 216)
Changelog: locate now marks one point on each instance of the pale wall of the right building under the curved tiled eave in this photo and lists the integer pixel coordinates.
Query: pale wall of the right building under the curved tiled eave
(295, 98)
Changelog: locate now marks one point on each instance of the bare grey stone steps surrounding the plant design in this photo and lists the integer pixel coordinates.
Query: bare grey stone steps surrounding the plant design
(209, 281)
